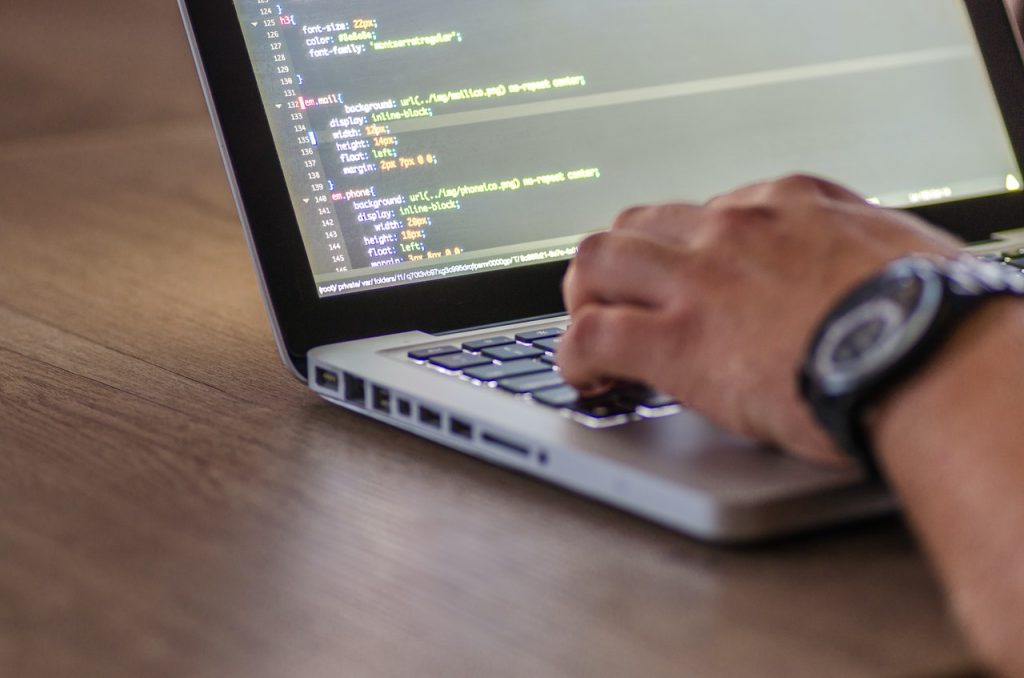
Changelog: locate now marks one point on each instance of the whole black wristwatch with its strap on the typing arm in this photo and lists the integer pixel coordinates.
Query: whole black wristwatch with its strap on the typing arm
(887, 329)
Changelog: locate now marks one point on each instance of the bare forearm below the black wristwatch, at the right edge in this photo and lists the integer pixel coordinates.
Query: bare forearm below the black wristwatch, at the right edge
(952, 443)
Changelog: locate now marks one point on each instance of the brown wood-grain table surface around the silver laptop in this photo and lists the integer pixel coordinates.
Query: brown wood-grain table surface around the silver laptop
(173, 503)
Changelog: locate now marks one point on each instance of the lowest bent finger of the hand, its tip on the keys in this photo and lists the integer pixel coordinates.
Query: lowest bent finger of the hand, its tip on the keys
(614, 343)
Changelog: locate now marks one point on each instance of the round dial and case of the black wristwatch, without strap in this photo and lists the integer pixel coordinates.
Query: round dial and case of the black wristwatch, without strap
(876, 327)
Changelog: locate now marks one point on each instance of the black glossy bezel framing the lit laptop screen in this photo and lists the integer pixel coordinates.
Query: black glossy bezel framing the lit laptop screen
(305, 321)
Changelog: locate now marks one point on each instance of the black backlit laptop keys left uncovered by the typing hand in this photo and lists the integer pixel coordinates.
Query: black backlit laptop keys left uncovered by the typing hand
(524, 366)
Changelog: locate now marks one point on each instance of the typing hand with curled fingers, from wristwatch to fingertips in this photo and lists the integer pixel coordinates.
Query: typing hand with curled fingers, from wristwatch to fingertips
(716, 305)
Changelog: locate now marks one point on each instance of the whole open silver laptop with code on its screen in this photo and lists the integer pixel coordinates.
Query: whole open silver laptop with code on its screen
(414, 178)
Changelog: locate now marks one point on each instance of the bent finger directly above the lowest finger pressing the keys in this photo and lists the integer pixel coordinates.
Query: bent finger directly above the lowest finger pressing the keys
(622, 268)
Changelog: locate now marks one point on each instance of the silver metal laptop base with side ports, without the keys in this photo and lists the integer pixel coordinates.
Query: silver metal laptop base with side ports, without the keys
(679, 472)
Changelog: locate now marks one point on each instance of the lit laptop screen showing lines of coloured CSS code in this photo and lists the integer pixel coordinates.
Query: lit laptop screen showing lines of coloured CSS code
(425, 141)
